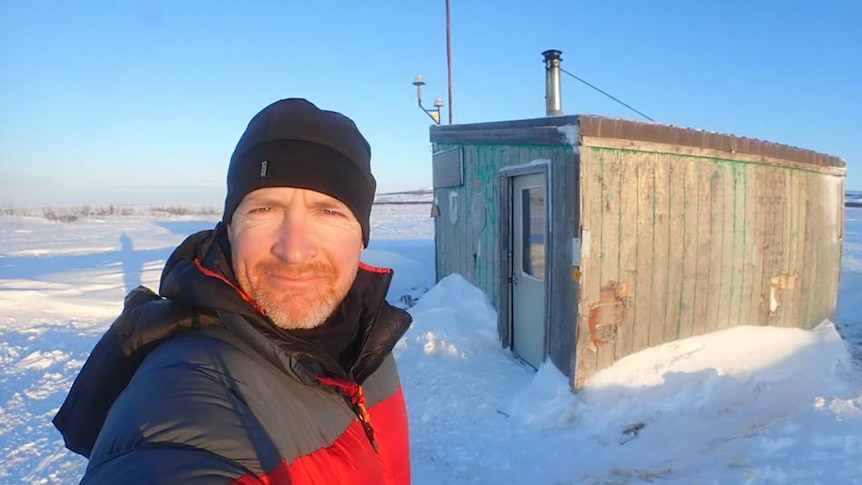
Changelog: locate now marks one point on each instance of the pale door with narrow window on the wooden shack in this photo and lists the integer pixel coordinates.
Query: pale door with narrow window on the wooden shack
(529, 243)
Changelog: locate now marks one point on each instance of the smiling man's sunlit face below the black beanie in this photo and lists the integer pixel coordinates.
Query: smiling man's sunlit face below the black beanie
(295, 253)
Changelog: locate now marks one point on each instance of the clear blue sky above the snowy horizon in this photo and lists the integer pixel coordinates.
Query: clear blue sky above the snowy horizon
(143, 101)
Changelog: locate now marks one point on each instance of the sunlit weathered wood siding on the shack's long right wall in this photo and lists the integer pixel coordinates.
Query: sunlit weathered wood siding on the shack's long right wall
(683, 242)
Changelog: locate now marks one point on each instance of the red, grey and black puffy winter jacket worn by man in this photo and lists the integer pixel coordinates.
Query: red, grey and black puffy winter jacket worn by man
(198, 386)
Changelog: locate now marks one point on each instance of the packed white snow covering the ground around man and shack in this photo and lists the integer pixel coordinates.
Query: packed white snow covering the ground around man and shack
(743, 405)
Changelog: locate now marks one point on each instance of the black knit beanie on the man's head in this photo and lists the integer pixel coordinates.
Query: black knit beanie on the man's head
(293, 143)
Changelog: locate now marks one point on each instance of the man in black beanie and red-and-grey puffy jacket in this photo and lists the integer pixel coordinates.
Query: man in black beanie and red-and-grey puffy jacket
(267, 357)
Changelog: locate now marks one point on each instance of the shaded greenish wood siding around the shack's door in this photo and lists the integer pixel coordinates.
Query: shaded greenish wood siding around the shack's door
(477, 252)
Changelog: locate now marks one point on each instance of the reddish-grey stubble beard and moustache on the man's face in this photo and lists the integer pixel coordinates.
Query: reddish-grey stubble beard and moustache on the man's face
(300, 309)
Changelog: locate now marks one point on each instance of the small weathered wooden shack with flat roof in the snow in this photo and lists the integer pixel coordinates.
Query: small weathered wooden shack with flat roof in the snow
(595, 237)
